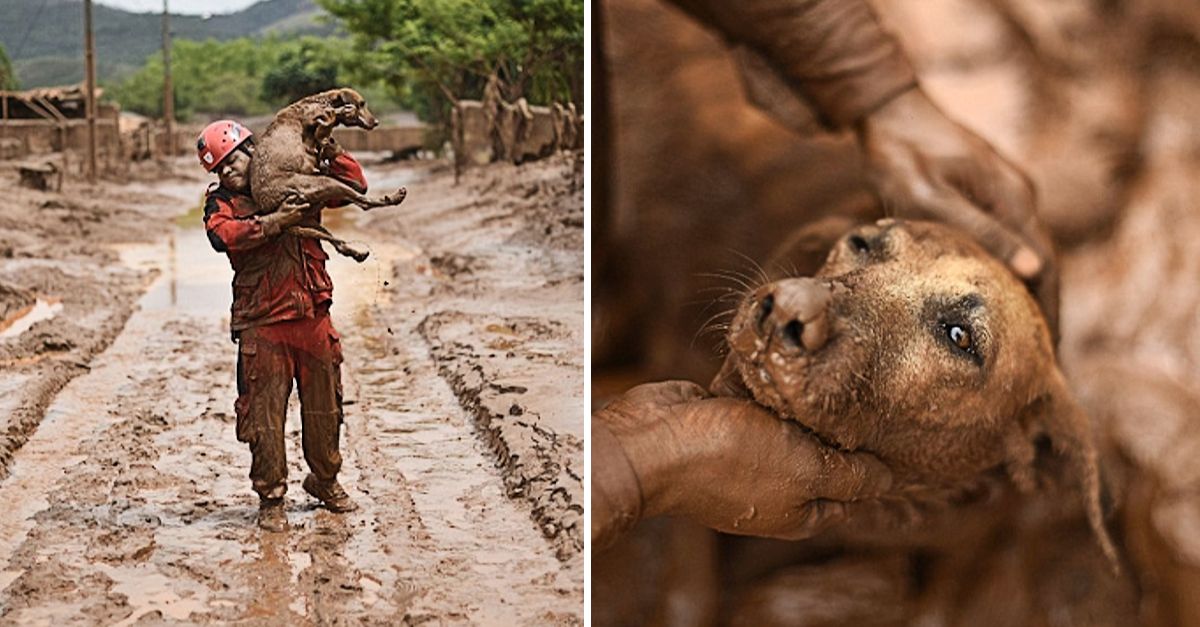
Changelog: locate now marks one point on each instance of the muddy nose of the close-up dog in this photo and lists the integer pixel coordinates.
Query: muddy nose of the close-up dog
(796, 313)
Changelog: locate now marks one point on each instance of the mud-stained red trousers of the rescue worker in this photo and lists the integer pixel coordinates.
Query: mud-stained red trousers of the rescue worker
(269, 359)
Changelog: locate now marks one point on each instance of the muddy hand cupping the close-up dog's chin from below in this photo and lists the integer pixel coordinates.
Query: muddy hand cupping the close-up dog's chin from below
(731, 465)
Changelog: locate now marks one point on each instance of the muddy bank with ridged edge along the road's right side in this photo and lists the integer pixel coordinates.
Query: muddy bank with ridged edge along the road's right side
(500, 285)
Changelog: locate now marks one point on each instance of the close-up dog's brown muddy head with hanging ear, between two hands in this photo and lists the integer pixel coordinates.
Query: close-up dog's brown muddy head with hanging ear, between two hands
(915, 344)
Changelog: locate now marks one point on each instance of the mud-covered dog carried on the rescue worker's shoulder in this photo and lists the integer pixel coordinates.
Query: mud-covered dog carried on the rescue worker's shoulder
(292, 159)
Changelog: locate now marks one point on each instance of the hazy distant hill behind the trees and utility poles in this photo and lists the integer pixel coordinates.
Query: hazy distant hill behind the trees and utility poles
(45, 38)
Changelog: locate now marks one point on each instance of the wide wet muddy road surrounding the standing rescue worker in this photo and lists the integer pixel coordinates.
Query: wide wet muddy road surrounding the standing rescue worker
(125, 489)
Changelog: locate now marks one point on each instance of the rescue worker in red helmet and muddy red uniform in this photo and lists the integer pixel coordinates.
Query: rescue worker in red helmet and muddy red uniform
(280, 320)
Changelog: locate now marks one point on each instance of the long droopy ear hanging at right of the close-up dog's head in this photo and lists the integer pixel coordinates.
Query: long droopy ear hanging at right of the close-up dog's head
(1065, 432)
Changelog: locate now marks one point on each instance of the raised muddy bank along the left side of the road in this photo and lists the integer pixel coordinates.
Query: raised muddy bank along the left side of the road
(63, 294)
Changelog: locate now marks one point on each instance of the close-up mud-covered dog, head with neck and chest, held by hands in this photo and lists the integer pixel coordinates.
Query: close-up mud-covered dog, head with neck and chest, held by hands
(913, 343)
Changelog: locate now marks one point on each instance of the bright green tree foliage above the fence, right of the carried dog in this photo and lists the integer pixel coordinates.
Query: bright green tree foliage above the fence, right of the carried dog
(434, 52)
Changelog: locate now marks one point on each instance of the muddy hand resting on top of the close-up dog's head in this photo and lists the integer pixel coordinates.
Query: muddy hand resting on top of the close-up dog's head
(927, 166)
